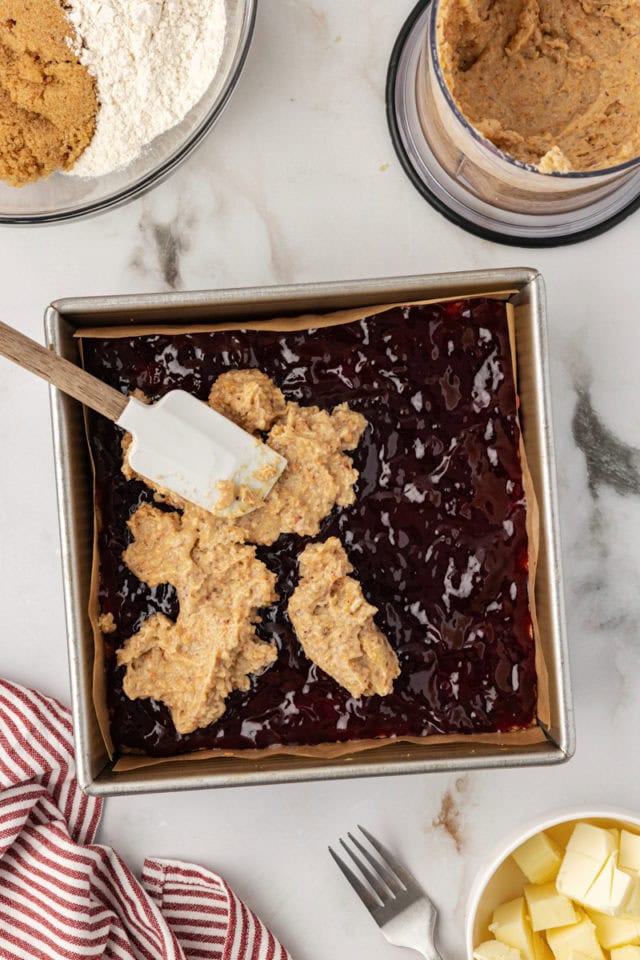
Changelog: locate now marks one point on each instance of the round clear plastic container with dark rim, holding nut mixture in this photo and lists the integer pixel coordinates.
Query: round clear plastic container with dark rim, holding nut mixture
(470, 179)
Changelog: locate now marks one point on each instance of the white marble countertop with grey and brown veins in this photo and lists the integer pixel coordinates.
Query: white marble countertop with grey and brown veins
(299, 182)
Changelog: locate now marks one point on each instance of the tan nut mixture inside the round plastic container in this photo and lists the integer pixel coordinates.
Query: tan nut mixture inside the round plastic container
(553, 83)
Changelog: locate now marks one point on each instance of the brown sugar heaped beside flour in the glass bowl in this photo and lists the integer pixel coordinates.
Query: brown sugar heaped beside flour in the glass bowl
(48, 100)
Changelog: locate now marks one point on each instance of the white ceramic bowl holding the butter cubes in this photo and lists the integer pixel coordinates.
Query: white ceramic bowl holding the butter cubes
(501, 880)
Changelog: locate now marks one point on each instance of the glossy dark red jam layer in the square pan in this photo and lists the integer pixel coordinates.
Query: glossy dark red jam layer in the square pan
(436, 536)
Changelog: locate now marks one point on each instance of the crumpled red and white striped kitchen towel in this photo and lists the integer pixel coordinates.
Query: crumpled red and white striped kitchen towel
(62, 896)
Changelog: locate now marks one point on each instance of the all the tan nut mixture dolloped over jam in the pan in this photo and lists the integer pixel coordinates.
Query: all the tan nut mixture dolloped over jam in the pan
(194, 663)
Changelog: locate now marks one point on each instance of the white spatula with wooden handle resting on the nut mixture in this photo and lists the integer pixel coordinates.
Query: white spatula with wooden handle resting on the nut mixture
(179, 443)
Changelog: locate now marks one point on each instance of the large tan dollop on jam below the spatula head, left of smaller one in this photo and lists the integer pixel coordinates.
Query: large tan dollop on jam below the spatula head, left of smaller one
(212, 648)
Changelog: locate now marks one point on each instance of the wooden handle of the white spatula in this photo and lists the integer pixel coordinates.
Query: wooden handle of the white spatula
(66, 376)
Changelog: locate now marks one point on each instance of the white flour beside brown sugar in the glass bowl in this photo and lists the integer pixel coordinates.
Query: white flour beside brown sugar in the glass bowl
(152, 60)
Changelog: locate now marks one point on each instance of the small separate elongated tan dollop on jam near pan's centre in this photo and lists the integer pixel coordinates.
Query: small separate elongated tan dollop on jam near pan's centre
(335, 625)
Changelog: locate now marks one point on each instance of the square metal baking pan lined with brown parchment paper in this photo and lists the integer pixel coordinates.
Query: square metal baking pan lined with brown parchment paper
(74, 486)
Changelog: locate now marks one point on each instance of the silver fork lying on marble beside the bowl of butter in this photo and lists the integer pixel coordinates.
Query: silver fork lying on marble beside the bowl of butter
(405, 914)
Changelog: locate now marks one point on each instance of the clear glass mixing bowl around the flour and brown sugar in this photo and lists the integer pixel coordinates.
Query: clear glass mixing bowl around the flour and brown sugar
(63, 197)
